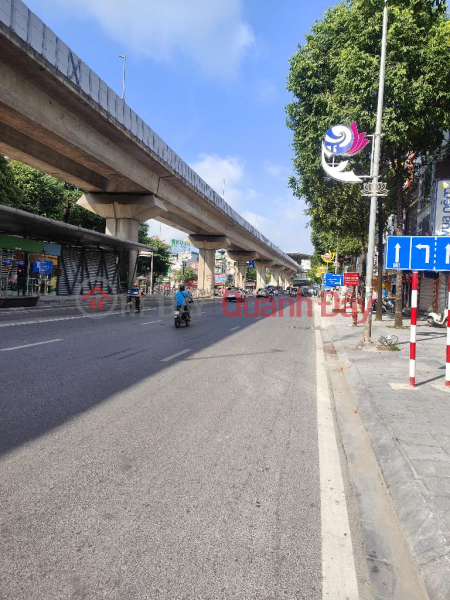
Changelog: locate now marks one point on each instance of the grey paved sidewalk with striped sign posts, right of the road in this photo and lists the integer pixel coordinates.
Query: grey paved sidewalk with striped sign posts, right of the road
(409, 430)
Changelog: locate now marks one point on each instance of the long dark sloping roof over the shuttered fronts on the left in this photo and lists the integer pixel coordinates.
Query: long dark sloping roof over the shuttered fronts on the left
(34, 227)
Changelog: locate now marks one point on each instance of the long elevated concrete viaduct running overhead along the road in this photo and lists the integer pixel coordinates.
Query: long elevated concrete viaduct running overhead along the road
(57, 115)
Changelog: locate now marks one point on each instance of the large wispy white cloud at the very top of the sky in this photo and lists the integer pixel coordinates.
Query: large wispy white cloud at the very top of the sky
(210, 33)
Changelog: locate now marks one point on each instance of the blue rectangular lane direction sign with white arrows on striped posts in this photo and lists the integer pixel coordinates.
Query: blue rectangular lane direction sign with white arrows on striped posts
(418, 253)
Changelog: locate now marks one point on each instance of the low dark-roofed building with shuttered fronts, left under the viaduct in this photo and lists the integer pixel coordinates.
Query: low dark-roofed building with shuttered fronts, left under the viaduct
(70, 261)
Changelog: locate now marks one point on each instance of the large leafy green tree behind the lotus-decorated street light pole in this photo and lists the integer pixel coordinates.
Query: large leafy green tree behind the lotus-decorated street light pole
(334, 78)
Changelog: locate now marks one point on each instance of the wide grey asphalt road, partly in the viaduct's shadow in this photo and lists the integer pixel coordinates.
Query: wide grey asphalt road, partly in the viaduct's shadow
(144, 462)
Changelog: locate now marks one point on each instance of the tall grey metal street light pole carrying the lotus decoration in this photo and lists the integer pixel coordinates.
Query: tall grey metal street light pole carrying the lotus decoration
(375, 170)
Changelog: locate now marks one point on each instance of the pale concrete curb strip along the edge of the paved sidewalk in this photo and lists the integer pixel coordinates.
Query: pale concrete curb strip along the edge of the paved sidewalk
(424, 532)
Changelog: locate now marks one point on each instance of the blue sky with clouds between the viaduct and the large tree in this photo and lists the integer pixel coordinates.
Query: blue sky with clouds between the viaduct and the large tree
(209, 76)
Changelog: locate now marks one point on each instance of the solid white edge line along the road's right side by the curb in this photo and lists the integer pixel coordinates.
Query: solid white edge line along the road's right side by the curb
(338, 566)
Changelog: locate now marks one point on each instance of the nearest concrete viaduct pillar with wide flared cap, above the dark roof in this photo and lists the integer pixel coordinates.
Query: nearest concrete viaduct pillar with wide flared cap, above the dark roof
(123, 215)
